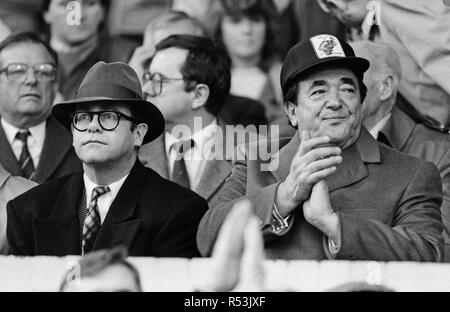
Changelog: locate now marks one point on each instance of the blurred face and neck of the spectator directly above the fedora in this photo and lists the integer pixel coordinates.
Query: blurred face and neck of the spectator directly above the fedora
(78, 46)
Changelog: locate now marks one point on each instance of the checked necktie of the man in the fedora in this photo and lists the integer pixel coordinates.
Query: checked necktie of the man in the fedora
(92, 222)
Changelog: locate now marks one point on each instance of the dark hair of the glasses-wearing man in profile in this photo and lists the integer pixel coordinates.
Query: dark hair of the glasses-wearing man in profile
(206, 63)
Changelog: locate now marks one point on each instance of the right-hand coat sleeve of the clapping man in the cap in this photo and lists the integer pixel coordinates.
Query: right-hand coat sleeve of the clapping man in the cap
(416, 233)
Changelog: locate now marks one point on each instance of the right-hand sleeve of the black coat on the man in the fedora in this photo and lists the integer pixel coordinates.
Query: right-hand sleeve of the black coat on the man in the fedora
(178, 236)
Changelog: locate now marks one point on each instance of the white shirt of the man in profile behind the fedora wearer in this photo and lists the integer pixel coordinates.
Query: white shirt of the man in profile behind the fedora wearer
(196, 157)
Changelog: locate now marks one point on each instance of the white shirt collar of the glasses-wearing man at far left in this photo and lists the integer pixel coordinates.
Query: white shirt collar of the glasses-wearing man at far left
(35, 140)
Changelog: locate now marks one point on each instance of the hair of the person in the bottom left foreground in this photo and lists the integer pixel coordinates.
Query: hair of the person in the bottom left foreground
(95, 262)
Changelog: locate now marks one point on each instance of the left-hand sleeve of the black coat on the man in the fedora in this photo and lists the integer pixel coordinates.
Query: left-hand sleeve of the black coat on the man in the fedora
(18, 240)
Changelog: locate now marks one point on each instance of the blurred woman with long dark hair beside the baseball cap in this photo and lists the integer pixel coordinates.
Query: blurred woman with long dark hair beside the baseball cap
(245, 32)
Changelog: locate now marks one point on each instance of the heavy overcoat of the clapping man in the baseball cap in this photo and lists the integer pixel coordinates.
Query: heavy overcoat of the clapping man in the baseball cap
(388, 204)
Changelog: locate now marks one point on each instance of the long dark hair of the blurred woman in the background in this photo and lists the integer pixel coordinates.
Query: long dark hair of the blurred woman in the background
(253, 9)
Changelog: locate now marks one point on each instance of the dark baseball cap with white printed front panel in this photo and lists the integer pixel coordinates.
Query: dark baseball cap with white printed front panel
(318, 51)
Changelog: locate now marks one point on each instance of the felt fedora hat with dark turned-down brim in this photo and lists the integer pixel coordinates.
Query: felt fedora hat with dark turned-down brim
(113, 83)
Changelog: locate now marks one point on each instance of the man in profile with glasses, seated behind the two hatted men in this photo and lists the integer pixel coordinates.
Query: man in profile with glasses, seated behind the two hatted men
(188, 80)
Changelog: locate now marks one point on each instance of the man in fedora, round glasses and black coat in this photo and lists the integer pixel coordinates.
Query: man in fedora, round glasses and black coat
(116, 200)
